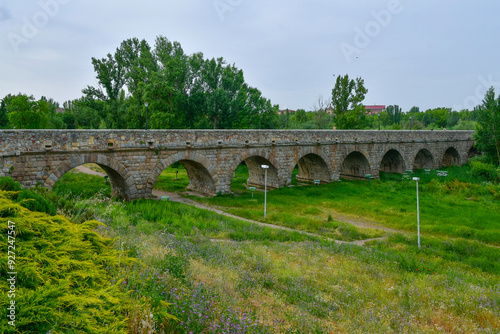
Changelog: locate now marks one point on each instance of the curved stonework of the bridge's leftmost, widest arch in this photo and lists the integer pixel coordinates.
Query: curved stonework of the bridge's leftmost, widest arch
(122, 182)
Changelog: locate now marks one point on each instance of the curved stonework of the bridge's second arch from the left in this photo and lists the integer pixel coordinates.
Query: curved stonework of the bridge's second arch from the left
(201, 173)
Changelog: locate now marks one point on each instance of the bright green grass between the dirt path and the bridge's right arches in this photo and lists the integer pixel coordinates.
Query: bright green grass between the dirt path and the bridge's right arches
(448, 207)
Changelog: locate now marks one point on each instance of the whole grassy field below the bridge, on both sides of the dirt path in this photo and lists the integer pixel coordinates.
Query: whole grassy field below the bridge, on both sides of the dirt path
(223, 275)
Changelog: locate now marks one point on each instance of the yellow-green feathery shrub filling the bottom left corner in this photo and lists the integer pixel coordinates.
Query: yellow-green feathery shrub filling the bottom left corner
(61, 286)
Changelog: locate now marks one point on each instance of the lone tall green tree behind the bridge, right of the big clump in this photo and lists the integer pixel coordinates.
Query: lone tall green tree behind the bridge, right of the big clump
(347, 97)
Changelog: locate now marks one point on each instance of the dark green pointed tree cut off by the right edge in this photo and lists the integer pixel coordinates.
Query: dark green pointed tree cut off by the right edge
(487, 134)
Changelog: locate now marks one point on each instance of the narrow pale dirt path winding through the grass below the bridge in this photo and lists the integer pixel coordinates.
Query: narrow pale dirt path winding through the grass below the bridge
(175, 197)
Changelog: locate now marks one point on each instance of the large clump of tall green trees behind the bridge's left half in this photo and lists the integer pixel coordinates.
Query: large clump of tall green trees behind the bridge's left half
(181, 91)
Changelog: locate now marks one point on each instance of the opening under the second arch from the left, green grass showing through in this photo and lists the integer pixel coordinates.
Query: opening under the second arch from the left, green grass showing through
(185, 175)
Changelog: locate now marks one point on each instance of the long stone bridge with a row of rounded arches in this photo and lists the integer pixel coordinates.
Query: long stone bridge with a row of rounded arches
(133, 159)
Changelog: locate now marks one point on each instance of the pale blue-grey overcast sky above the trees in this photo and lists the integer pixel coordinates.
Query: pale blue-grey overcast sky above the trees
(411, 53)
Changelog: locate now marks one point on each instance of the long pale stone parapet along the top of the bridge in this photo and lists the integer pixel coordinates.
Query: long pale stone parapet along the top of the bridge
(13, 142)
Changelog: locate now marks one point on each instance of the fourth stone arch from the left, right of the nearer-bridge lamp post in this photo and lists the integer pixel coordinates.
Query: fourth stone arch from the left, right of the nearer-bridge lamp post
(312, 166)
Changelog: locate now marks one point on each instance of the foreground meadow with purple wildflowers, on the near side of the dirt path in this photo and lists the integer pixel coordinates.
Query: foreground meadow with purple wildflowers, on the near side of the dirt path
(212, 268)
